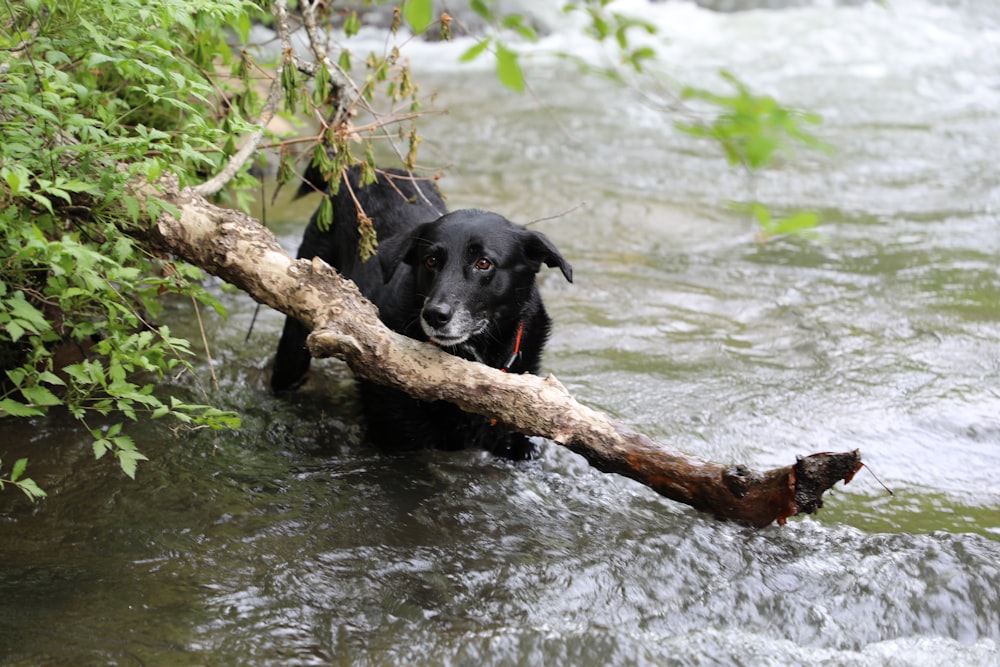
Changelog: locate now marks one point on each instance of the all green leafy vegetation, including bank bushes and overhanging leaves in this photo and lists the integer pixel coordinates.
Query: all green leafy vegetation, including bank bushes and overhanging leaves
(99, 102)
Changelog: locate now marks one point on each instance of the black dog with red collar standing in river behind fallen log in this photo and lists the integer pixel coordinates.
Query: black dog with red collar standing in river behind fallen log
(465, 281)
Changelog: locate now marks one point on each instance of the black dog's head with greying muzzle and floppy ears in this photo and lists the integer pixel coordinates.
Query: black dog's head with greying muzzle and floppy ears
(473, 270)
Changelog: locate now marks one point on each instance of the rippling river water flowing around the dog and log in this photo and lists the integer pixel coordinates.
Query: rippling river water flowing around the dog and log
(293, 542)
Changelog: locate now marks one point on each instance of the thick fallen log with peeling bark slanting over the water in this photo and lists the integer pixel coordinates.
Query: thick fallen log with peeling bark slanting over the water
(238, 249)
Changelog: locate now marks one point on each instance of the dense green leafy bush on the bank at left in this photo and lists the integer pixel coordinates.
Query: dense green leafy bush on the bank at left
(93, 95)
